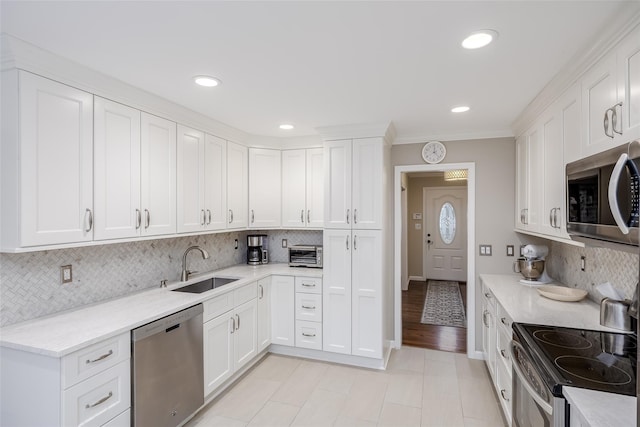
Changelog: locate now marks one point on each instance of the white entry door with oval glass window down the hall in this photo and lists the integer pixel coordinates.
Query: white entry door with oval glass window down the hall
(445, 233)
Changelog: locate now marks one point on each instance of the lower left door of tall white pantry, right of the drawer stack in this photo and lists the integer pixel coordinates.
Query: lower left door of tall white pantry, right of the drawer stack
(336, 292)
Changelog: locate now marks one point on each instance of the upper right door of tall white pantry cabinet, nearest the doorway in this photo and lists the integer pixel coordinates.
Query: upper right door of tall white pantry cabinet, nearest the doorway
(367, 184)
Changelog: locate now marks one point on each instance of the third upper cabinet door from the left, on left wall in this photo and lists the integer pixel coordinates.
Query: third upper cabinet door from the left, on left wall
(158, 175)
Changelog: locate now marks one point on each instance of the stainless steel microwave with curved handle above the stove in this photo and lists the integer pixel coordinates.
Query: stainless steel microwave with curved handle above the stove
(602, 196)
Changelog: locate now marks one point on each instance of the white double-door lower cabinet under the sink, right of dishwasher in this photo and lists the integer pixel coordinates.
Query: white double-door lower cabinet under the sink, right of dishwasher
(229, 334)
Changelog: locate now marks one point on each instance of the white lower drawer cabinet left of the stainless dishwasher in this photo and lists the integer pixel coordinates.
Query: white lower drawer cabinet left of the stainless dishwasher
(90, 387)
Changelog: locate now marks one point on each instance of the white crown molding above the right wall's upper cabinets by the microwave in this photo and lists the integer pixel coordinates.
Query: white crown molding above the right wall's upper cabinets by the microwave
(625, 22)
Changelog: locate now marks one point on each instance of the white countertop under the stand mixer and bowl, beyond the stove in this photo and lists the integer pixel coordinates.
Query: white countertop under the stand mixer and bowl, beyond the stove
(525, 305)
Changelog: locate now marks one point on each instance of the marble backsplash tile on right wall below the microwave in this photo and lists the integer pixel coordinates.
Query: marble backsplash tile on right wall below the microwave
(602, 265)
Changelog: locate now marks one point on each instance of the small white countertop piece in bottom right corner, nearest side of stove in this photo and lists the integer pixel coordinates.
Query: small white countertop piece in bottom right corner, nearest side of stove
(602, 409)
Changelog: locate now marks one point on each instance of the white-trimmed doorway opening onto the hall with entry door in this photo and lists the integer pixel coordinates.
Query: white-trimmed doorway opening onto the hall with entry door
(434, 240)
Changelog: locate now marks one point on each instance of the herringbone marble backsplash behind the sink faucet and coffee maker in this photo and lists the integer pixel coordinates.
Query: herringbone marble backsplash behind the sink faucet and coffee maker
(30, 284)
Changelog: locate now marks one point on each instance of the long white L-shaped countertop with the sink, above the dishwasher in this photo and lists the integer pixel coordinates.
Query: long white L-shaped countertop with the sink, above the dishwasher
(63, 333)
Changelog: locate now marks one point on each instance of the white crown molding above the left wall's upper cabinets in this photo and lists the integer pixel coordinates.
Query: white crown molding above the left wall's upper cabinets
(17, 53)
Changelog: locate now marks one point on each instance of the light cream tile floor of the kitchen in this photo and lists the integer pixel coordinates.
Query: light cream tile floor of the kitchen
(419, 388)
